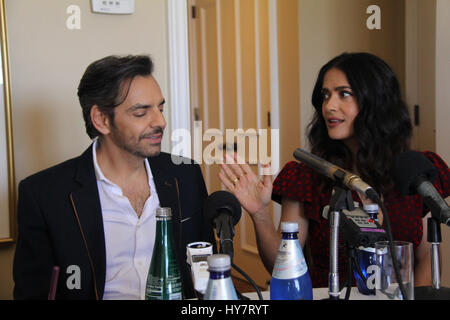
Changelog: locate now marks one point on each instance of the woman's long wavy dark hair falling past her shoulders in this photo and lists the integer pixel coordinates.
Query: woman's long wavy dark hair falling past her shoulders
(382, 126)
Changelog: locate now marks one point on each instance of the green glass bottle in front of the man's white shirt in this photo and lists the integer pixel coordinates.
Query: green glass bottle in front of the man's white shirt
(164, 276)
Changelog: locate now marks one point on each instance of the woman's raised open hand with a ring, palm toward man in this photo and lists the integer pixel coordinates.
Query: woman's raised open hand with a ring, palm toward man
(253, 193)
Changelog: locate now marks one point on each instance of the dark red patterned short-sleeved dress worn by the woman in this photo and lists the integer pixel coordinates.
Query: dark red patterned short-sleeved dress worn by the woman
(299, 182)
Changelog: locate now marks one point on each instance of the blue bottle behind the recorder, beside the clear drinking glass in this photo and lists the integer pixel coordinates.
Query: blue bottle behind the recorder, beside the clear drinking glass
(366, 258)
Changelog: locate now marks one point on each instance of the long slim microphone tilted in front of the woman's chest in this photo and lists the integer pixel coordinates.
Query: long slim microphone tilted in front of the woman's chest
(350, 180)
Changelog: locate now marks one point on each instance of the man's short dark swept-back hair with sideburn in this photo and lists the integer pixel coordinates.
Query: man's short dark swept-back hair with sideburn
(106, 83)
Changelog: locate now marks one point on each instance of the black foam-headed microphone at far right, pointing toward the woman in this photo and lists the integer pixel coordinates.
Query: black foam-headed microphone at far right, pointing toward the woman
(412, 173)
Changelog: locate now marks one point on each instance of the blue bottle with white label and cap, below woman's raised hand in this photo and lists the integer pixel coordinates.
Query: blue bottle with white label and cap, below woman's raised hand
(290, 276)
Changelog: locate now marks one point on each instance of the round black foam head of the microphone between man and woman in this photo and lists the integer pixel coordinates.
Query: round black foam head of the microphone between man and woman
(221, 201)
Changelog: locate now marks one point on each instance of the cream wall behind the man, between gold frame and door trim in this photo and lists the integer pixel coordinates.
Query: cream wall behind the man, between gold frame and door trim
(47, 61)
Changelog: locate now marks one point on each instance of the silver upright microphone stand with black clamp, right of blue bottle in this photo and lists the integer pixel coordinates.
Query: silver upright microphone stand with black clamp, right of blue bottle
(341, 199)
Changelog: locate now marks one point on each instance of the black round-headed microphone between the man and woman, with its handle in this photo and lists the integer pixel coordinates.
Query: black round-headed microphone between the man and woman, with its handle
(224, 211)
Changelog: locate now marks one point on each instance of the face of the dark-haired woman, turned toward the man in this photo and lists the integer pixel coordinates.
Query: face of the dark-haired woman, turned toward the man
(339, 106)
